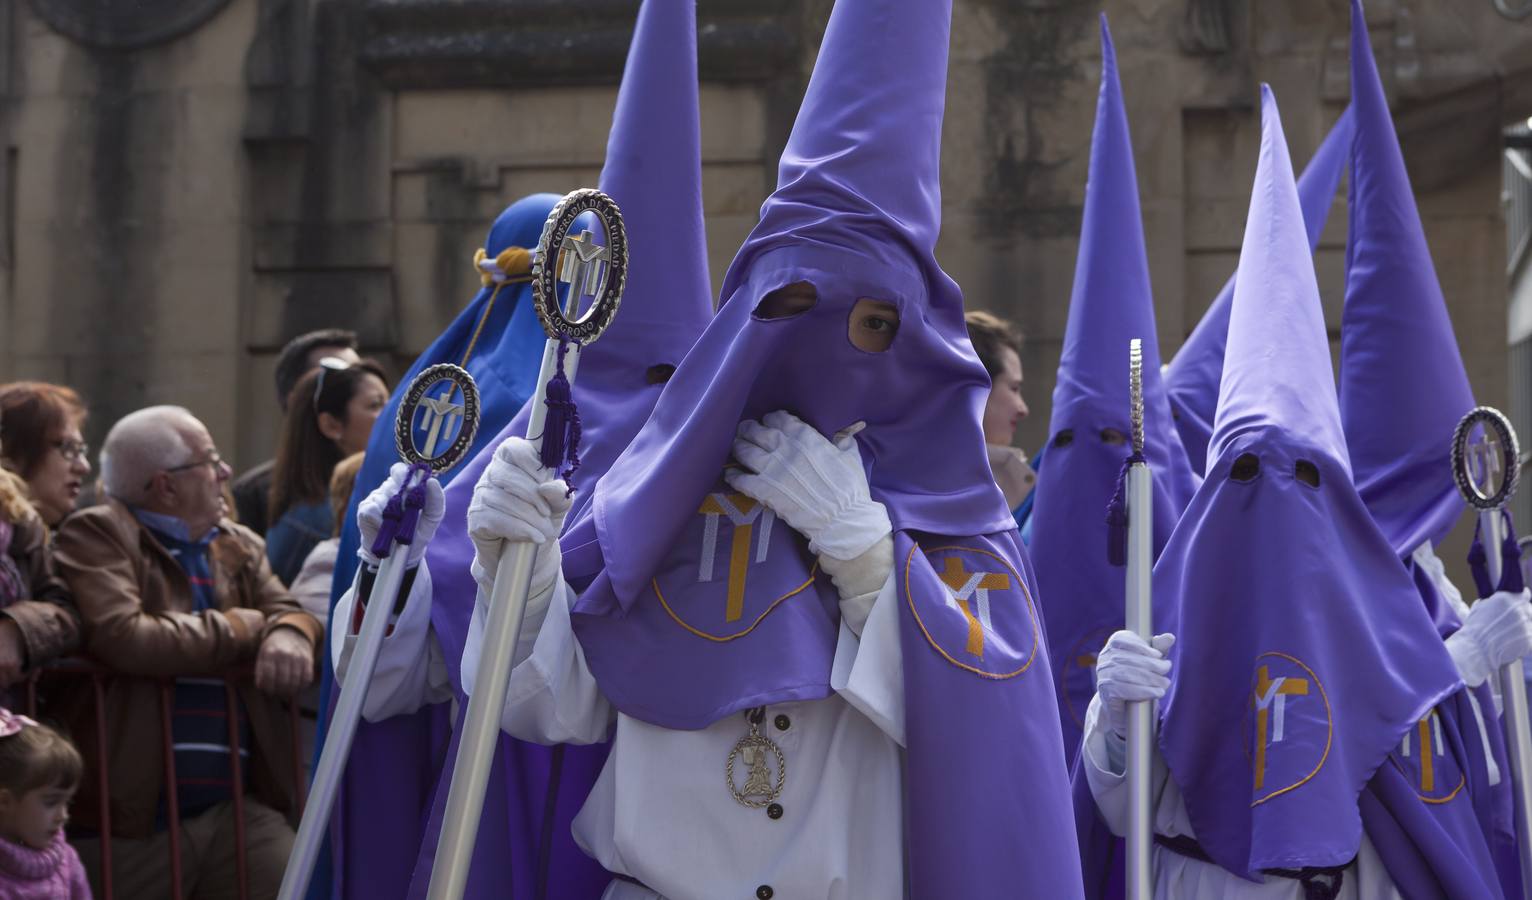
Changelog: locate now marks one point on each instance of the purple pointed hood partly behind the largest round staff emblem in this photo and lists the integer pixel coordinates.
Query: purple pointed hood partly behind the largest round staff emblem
(653, 172)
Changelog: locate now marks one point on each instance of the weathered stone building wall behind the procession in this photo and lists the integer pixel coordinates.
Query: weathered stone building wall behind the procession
(185, 185)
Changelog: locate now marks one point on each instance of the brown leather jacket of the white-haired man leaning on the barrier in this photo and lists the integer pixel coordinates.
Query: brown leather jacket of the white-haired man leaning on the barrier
(137, 608)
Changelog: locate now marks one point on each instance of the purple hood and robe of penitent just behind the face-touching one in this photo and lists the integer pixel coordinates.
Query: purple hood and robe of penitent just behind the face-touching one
(653, 172)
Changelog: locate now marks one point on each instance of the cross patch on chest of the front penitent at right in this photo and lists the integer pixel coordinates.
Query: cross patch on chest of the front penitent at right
(1289, 726)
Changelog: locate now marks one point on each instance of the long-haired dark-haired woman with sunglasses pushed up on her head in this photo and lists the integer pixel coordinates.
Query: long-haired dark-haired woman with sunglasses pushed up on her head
(329, 419)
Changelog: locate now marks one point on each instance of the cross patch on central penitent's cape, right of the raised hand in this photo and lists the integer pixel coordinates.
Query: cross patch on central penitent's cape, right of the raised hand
(974, 608)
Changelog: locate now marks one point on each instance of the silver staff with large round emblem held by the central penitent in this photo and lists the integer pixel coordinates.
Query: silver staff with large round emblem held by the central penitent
(591, 269)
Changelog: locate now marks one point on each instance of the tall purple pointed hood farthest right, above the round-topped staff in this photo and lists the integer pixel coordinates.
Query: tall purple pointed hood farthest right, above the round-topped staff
(1403, 381)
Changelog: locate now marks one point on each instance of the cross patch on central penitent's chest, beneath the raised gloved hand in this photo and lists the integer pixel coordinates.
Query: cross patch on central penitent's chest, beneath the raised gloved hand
(735, 565)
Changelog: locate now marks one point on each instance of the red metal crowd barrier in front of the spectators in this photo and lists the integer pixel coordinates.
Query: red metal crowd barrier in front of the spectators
(99, 678)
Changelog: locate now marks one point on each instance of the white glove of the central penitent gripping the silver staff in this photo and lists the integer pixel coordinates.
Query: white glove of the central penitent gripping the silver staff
(517, 501)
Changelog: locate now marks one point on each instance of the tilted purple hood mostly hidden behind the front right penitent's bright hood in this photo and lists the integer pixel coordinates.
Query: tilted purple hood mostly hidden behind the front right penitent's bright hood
(1193, 376)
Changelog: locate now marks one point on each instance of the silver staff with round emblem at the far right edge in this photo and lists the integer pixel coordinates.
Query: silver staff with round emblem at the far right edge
(1476, 467)
